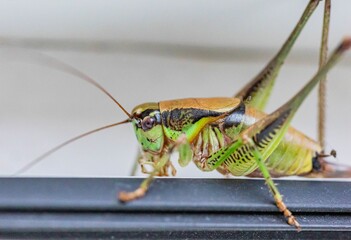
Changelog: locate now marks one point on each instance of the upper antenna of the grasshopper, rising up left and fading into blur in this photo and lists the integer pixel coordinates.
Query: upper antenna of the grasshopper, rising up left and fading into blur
(59, 65)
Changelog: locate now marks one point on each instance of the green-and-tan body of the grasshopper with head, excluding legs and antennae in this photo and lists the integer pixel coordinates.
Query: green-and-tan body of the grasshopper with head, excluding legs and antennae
(210, 130)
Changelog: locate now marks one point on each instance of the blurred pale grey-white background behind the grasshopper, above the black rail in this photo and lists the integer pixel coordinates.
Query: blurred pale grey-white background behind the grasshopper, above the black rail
(144, 51)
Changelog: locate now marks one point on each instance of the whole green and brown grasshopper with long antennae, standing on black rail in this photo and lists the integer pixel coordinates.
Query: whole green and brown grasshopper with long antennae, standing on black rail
(230, 134)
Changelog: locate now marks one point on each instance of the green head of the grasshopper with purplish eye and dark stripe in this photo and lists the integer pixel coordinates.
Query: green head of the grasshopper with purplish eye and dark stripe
(146, 120)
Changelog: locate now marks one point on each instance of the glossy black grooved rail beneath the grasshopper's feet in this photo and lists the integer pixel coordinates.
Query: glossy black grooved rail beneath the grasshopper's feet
(173, 209)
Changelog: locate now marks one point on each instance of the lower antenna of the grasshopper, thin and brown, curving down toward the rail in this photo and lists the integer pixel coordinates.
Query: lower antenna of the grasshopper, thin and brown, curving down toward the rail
(40, 158)
